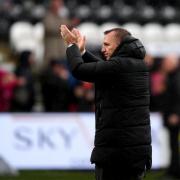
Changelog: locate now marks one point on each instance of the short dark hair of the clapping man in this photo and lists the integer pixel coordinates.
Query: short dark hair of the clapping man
(120, 33)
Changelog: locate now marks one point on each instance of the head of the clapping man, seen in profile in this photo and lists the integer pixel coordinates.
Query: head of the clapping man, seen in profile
(112, 39)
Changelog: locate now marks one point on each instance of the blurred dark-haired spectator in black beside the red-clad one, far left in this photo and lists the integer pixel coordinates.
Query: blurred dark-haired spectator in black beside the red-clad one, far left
(24, 94)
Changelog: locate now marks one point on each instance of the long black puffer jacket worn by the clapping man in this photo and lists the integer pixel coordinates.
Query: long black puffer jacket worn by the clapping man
(122, 103)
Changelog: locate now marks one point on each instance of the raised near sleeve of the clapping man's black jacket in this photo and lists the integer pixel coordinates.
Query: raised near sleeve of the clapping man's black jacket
(89, 71)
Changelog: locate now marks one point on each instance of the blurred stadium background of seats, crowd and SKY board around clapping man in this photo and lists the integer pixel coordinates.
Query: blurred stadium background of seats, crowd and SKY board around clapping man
(46, 116)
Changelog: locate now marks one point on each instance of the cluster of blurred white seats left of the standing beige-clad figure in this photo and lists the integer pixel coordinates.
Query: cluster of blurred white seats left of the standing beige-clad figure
(25, 36)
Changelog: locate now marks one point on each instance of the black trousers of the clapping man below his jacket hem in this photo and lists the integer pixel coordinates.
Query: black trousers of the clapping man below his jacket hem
(116, 173)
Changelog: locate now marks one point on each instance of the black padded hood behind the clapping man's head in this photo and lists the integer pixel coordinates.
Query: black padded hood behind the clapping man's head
(130, 47)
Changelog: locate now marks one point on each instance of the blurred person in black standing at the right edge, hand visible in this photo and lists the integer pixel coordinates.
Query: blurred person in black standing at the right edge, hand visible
(171, 67)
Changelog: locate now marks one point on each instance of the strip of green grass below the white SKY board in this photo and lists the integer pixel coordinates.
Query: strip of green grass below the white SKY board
(67, 175)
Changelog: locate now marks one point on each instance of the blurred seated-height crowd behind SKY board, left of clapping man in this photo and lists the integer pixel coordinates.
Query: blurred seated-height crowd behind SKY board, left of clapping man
(59, 91)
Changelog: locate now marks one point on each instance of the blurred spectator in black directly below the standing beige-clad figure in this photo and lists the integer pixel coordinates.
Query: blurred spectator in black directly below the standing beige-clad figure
(55, 87)
